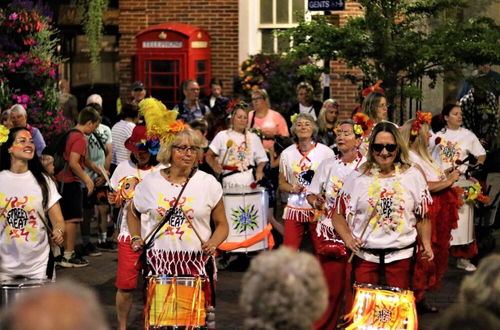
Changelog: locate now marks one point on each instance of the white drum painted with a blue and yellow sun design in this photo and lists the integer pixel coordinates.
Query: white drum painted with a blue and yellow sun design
(246, 212)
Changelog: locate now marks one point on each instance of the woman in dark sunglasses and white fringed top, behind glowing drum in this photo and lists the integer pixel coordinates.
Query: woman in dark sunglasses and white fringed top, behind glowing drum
(382, 207)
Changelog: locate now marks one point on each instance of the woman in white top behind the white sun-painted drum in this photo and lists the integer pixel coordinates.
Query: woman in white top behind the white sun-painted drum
(233, 153)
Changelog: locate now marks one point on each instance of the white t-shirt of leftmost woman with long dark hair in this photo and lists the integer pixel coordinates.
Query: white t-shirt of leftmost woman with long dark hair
(24, 245)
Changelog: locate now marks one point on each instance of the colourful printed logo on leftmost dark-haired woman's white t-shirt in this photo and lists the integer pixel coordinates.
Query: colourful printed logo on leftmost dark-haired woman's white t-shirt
(19, 220)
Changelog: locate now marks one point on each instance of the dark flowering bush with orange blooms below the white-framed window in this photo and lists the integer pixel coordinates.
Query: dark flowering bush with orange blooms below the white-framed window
(279, 76)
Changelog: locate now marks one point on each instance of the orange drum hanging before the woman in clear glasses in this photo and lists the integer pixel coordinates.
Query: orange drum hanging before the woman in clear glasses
(175, 301)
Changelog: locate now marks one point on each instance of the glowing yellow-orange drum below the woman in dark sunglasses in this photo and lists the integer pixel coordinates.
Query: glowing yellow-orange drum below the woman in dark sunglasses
(382, 307)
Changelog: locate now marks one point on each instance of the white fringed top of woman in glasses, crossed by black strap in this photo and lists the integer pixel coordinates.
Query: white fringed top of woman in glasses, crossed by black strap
(155, 195)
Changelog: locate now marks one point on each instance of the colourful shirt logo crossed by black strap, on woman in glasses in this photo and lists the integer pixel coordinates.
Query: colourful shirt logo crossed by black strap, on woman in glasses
(177, 227)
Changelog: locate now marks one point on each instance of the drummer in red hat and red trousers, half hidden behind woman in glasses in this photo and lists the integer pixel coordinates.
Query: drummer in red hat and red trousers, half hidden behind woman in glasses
(127, 174)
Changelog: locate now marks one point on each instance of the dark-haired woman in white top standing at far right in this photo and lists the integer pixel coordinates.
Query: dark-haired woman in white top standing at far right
(451, 145)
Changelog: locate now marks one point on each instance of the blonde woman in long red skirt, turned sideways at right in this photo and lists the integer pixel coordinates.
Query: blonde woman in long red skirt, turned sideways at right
(443, 212)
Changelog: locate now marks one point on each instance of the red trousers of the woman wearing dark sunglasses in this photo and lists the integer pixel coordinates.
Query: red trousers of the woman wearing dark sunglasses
(397, 273)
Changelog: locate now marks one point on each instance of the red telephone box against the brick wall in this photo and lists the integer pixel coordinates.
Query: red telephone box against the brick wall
(169, 53)
